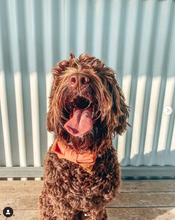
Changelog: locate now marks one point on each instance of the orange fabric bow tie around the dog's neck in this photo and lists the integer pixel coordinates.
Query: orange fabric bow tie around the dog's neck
(85, 160)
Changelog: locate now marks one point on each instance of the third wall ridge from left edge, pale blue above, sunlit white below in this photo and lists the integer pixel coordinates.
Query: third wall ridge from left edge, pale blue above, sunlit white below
(30, 22)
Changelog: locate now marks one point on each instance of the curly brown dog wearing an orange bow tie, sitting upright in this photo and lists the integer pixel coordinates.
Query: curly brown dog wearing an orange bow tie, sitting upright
(81, 170)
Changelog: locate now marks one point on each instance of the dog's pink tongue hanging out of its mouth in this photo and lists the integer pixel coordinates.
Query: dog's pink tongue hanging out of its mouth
(80, 123)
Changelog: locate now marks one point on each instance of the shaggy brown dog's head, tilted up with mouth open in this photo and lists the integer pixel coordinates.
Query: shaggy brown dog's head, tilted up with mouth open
(86, 104)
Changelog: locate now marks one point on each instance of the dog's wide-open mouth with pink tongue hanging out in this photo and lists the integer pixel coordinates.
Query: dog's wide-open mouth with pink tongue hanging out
(81, 116)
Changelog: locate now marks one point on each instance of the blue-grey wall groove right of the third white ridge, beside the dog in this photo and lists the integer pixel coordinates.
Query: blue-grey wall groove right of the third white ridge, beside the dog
(40, 70)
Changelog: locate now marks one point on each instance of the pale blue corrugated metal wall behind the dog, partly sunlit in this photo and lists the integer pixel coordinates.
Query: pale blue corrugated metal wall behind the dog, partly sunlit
(134, 37)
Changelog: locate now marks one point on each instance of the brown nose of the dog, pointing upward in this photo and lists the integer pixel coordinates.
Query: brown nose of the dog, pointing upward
(78, 81)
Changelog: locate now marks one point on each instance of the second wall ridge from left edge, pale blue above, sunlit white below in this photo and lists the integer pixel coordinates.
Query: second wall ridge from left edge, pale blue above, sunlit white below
(18, 82)
